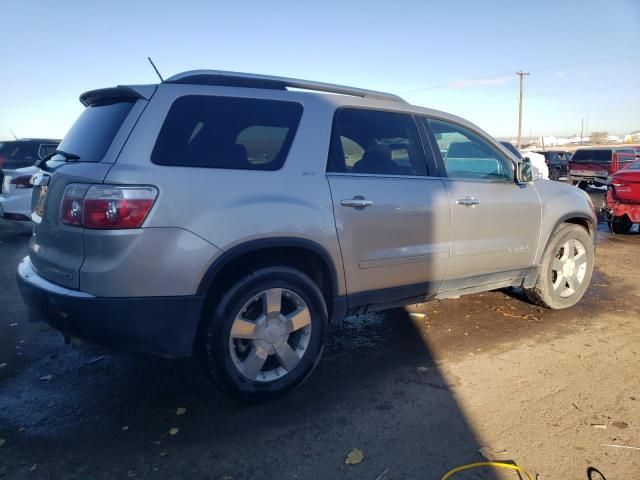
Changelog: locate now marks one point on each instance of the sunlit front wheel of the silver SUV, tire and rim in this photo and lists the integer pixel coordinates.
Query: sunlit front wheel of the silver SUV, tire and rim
(566, 269)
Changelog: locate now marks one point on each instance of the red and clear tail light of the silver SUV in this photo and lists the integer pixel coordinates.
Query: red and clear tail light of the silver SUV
(107, 206)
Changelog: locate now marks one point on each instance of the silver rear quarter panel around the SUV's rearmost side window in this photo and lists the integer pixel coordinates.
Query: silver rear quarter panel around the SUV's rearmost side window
(230, 207)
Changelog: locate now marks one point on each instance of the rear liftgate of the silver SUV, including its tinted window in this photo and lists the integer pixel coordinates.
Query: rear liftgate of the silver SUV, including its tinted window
(56, 250)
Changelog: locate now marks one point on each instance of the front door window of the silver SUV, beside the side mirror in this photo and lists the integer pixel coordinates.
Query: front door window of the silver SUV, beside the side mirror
(467, 155)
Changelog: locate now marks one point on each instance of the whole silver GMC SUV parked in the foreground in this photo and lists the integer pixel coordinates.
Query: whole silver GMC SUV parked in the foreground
(236, 215)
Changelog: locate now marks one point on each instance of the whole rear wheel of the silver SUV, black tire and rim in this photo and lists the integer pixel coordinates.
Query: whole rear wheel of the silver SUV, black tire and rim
(266, 334)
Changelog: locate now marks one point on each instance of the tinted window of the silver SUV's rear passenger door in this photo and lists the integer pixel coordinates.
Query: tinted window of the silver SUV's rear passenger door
(375, 142)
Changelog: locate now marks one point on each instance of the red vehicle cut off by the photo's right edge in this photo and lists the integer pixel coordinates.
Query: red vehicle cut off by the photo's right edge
(622, 204)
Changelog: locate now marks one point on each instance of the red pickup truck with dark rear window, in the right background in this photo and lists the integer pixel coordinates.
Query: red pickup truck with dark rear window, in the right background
(594, 166)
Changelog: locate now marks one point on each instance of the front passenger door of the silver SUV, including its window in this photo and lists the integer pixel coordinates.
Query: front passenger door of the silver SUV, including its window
(495, 223)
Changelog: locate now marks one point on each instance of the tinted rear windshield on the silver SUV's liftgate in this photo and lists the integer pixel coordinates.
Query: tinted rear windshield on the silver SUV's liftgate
(93, 132)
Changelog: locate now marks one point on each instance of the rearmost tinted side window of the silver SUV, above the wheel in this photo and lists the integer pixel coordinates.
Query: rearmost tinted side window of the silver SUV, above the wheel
(225, 132)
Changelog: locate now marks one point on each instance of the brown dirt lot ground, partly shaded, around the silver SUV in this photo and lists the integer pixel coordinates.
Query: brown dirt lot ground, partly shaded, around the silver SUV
(557, 392)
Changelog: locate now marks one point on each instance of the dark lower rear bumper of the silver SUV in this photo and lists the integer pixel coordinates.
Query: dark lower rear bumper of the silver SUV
(164, 326)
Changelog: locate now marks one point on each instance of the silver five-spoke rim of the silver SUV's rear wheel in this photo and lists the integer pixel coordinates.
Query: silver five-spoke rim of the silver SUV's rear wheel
(270, 335)
